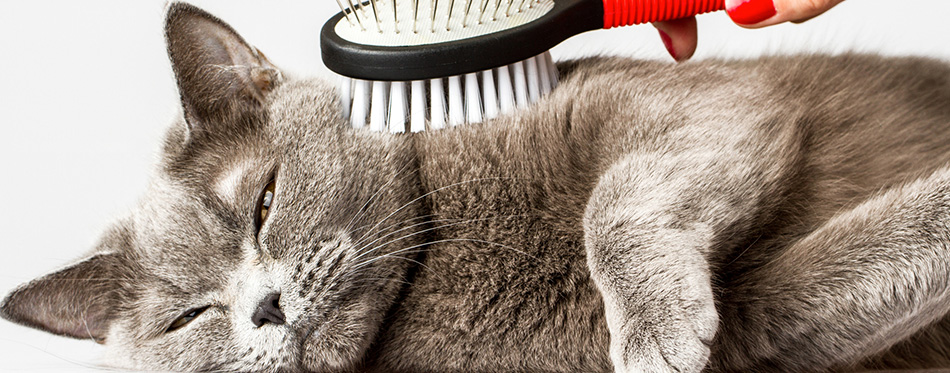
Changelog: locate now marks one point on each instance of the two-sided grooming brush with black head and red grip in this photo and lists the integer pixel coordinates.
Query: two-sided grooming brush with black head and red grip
(409, 63)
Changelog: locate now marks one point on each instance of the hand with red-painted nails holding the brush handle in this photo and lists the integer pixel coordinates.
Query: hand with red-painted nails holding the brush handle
(679, 35)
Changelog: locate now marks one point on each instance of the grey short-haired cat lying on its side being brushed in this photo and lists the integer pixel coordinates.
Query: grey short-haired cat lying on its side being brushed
(778, 214)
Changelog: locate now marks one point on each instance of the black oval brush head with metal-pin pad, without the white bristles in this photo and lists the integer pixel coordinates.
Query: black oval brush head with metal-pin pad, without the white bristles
(401, 40)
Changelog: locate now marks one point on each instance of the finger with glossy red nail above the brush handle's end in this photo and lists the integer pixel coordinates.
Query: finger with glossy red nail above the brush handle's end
(761, 13)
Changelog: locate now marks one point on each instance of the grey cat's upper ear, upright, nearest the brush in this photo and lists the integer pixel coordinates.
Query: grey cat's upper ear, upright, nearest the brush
(221, 79)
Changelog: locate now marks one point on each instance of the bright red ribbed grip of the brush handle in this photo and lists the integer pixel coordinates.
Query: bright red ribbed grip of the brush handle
(632, 12)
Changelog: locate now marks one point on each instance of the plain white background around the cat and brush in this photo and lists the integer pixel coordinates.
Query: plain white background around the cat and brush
(86, 93)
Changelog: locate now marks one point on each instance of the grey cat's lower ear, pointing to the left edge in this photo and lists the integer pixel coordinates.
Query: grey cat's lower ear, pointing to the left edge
(77, 301)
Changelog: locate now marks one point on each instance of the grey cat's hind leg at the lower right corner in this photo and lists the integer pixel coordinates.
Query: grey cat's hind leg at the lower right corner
(866, 280)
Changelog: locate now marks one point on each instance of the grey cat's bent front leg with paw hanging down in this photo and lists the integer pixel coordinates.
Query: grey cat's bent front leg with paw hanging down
(649, 227)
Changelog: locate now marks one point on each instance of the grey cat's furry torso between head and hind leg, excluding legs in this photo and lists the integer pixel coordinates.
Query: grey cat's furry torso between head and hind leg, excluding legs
(801, 168)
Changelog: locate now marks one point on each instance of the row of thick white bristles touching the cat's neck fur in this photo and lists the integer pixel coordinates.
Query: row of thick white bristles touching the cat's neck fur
(471, 98)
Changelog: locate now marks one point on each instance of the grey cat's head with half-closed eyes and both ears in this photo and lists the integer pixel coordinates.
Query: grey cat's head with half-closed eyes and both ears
(271, 237)
